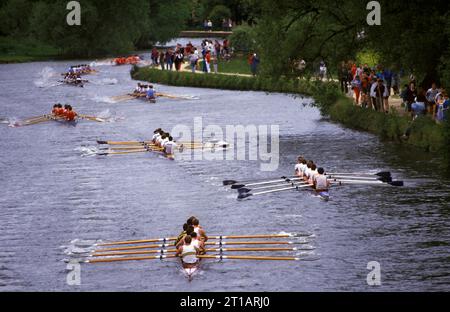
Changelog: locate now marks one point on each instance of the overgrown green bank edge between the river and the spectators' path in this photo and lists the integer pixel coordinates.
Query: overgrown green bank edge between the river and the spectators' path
(423, 133)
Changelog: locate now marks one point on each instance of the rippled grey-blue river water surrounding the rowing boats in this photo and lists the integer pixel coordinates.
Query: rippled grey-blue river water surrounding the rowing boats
(52, 196)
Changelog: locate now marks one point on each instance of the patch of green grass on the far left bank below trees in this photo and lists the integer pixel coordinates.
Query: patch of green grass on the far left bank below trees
(24, 50)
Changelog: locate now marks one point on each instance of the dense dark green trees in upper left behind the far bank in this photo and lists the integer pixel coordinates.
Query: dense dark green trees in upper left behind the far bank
(107, 26)
